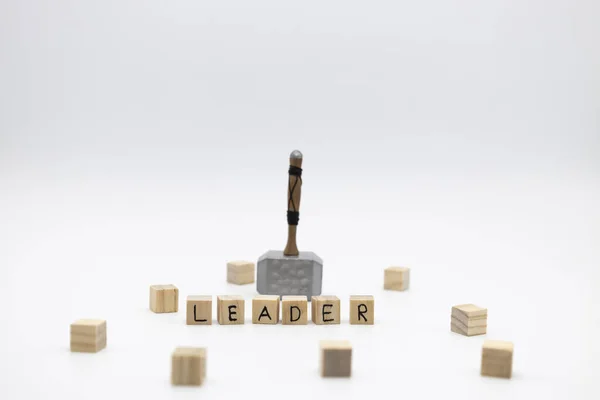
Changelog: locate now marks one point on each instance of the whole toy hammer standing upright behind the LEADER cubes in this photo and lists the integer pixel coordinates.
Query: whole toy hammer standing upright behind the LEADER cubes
(291, 272)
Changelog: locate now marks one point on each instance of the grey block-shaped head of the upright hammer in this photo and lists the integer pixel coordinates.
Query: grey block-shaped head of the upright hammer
(289, 275)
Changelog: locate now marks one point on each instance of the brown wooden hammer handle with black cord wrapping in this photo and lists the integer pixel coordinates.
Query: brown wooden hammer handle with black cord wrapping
(294, 192)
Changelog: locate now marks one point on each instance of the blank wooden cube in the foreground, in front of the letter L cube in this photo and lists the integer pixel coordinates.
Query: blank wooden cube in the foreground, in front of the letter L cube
(188, 366)
